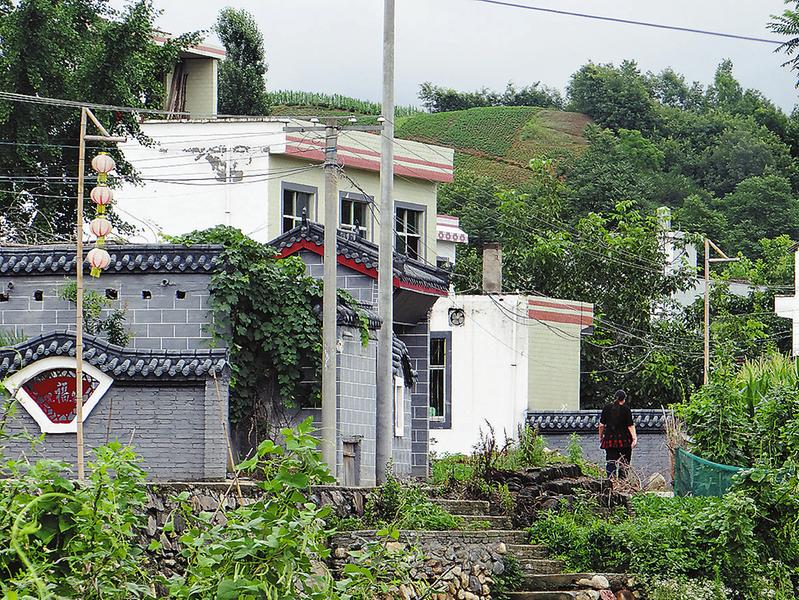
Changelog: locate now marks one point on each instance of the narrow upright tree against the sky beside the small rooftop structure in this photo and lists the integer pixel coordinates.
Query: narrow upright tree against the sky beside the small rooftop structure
(242, 87)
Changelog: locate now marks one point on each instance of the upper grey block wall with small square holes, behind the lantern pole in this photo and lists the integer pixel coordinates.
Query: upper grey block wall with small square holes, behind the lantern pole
(162, 322)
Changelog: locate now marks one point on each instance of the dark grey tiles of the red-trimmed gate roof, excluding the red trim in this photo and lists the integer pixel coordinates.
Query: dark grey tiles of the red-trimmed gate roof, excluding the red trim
(365, 253)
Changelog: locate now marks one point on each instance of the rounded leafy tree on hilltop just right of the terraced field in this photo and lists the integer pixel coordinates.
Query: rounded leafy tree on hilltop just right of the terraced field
(615, 97)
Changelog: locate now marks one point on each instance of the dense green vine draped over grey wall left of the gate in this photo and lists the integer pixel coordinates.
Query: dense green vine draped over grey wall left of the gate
(263, 311)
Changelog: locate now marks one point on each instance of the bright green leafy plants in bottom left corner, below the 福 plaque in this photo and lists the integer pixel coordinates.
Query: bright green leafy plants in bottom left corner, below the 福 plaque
(62, 540)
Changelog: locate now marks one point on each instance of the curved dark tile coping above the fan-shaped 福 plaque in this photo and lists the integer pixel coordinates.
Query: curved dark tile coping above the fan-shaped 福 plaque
(118, 362)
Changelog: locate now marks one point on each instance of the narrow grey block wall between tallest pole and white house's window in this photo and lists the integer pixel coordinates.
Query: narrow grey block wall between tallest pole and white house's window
(417, 339)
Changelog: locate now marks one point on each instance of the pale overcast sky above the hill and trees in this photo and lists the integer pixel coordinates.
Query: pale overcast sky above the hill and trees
(334, 46)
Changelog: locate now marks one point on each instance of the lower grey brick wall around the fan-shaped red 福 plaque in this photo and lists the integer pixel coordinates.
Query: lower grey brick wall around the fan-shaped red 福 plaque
(177, 430)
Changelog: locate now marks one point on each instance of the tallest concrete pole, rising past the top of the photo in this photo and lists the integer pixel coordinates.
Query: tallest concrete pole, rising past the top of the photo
(385, 279)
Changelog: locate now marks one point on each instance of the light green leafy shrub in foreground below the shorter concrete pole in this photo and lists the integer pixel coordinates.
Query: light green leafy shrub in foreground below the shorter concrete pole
(271, 548)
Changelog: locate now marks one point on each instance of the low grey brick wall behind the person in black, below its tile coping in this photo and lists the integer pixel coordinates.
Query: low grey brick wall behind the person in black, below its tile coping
(650, 456)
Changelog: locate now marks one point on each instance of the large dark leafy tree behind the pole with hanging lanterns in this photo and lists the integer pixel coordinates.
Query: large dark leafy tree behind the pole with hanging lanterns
(75, 50)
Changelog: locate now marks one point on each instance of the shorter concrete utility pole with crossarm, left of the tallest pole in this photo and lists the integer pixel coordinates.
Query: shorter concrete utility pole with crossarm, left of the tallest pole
(331, 129)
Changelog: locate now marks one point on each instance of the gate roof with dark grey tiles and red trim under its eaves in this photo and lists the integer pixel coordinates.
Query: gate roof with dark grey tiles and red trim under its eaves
(362, 256)
